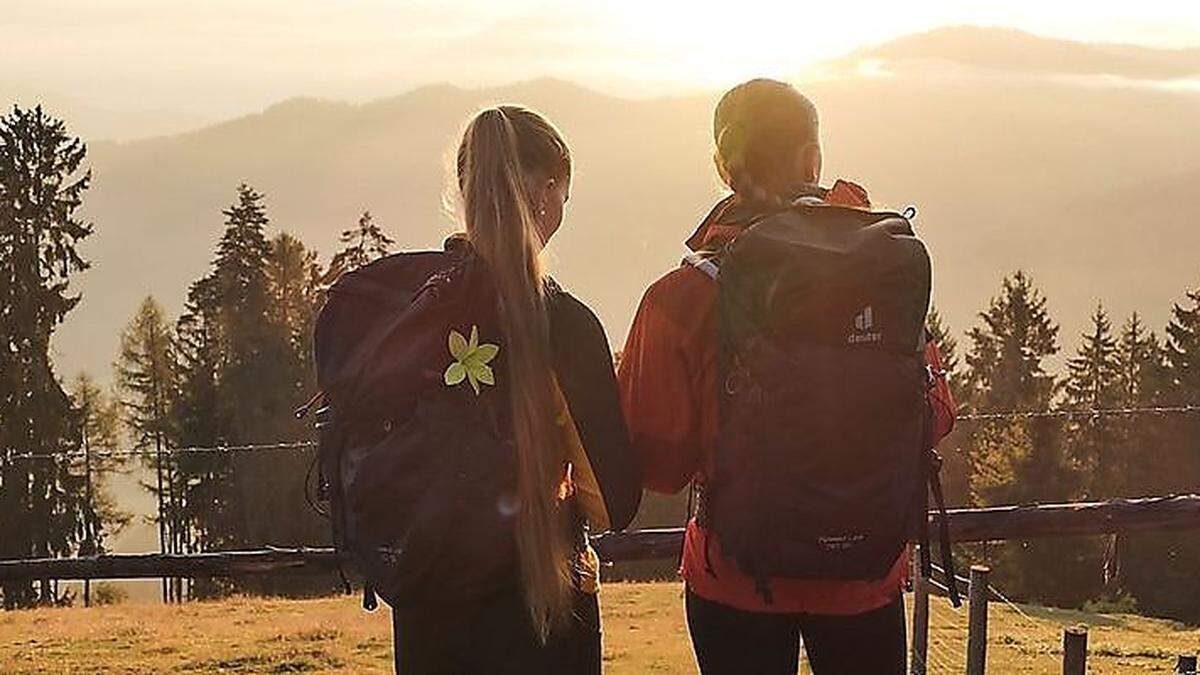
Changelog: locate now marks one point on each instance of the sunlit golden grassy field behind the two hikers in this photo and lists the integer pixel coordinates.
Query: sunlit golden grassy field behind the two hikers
(644, 634)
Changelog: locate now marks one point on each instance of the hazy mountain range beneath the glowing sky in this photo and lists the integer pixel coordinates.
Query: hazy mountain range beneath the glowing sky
(1091, 189)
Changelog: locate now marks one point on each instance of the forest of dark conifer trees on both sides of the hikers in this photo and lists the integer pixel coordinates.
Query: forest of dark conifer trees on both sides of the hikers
(236, 363)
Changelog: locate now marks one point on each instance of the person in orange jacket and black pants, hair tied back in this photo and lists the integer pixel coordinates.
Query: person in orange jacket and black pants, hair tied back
(770, 156)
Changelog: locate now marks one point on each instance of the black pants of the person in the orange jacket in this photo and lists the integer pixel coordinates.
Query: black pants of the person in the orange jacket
(733, 642)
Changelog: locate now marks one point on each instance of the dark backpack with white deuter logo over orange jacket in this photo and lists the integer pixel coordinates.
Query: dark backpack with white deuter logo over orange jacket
(821, 467)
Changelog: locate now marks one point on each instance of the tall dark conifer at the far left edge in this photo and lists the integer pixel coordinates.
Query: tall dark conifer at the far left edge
(44, 501)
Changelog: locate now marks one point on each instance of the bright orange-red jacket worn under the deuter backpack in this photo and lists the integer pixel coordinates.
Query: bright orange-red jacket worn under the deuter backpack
(668, 383)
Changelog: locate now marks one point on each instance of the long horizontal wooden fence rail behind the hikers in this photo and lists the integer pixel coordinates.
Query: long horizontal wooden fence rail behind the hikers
(1180, 512)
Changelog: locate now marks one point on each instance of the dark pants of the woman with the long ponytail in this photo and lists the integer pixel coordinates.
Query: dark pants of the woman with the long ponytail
(495, 636)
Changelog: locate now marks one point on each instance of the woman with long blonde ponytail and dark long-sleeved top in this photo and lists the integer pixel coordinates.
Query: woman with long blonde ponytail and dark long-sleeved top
(557, 411)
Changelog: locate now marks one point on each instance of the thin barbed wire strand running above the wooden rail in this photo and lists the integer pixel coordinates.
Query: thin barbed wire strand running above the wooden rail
(1181, 410)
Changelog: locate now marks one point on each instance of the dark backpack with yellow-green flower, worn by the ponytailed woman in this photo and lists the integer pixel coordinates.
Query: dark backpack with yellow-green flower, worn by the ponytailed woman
(419, 475)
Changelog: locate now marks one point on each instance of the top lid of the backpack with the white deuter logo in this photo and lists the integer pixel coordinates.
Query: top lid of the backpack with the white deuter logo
(827, 274)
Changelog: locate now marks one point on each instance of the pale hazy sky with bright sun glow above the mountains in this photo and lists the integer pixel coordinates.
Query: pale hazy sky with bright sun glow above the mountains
(122, 68)
